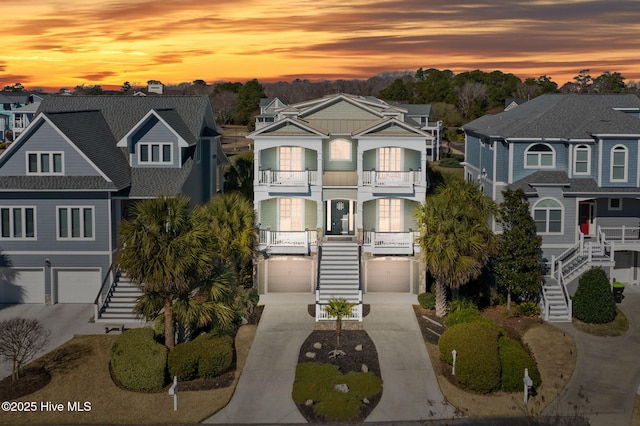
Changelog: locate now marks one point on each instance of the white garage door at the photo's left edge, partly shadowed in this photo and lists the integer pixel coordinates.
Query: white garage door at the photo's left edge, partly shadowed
(21, 285)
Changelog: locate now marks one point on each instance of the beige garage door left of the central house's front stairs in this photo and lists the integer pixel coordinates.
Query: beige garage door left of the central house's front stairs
(289, 275)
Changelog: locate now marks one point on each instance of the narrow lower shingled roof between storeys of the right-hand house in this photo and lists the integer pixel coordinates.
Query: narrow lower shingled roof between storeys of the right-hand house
(583, 186)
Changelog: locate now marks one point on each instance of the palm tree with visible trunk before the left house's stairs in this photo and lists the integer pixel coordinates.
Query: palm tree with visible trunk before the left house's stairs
(164, 251)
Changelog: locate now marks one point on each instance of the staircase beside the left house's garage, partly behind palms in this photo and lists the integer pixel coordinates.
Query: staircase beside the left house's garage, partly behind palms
(120, 301)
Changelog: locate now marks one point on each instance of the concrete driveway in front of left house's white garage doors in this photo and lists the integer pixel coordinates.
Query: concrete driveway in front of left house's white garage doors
(63, 320)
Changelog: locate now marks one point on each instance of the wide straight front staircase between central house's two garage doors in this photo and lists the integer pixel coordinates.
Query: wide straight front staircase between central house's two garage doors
(339, 272)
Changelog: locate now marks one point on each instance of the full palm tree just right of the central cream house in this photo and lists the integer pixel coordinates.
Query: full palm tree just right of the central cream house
(455, 239)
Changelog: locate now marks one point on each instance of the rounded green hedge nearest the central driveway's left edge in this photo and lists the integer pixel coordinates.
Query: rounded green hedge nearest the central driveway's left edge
(206, 356)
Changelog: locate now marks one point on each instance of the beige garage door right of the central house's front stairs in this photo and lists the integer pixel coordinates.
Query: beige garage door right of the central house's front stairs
(388, 275)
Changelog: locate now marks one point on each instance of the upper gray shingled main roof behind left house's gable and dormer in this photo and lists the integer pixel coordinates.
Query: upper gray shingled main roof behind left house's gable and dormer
(123, 116)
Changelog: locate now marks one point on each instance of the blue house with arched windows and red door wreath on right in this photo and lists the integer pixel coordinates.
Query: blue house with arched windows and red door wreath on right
(577, 158)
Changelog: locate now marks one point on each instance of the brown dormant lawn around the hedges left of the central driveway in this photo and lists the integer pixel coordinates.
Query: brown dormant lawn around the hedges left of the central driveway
(80, 372)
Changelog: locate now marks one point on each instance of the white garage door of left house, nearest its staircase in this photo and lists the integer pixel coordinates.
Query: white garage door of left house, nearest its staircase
(77, 285)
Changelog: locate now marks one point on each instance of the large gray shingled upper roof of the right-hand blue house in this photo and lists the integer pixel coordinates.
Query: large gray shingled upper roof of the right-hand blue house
(570, 117)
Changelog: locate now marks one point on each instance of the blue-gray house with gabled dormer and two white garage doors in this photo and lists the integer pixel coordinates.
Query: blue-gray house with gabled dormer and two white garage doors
(68, 179)
